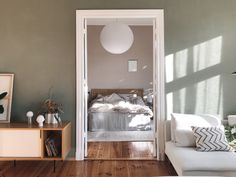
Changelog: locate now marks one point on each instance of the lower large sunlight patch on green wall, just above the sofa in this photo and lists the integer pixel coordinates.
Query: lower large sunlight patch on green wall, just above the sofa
(205, 97)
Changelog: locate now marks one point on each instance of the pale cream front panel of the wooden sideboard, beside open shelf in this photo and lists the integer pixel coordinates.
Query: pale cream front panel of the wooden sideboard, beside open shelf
(20, 143)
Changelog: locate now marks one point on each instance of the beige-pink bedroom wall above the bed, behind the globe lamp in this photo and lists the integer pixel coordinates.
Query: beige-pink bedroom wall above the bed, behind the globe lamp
(106, 70)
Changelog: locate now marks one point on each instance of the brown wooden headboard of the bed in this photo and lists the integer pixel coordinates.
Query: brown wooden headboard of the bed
(104, 92)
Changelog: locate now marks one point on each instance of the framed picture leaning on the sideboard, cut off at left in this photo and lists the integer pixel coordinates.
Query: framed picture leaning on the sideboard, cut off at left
(6, 92)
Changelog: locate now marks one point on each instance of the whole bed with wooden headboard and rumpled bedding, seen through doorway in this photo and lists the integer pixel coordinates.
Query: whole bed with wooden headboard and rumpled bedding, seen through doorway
(118, 110)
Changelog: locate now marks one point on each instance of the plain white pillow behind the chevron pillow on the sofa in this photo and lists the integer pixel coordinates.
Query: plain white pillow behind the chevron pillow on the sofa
(181, 124)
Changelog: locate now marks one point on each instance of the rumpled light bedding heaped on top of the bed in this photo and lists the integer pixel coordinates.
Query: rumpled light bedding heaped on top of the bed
(120, 103)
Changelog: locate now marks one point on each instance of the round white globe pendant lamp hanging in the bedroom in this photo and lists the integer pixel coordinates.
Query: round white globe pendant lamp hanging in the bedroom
(116, 38)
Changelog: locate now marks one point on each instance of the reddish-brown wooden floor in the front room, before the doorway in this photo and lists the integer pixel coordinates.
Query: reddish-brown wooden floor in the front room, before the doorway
(88, 168)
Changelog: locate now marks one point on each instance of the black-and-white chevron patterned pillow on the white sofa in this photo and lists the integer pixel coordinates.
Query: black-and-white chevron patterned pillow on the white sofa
(210, 139)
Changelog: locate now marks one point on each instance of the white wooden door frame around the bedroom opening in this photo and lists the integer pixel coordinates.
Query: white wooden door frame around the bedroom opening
(158, 70)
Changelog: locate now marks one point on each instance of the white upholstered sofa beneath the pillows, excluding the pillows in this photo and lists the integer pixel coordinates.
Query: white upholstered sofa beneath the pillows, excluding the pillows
(189, 162)
